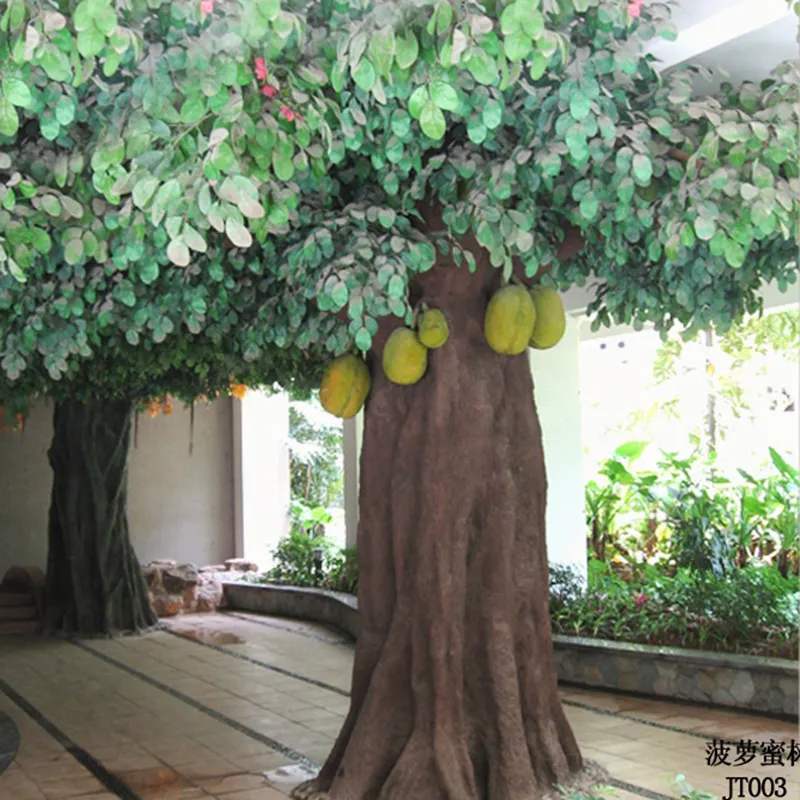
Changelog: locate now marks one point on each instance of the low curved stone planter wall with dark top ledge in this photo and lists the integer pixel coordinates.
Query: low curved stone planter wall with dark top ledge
(764, 685)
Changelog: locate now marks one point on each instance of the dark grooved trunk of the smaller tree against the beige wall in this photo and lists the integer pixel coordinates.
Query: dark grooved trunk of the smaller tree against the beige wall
(94, 580)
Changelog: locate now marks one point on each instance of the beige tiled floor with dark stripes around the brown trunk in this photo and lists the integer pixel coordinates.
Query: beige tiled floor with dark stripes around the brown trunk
(205, 713)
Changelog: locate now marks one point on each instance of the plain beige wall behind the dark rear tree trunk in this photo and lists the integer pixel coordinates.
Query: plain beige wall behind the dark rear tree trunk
(180, 505)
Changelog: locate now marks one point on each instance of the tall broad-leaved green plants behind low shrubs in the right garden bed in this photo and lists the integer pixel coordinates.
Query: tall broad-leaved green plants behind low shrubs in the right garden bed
(685, 515)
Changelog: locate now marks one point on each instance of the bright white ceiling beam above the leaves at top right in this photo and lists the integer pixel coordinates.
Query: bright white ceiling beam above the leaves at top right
(736, 20)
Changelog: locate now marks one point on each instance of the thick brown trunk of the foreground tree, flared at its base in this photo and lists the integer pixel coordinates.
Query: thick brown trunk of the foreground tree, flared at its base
(454, 693)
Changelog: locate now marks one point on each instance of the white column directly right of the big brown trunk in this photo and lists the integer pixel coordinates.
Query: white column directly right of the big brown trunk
(556, 380)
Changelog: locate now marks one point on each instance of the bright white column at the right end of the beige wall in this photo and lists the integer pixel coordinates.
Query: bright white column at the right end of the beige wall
(262, 489)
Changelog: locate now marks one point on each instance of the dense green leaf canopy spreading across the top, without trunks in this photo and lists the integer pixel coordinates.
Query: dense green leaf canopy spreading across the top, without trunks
(193, 190)
